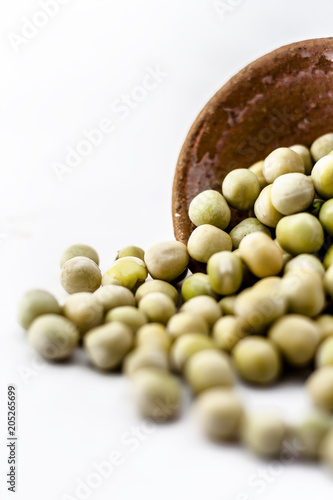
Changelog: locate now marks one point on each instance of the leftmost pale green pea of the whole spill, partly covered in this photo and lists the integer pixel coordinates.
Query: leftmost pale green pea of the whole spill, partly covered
(35, 303)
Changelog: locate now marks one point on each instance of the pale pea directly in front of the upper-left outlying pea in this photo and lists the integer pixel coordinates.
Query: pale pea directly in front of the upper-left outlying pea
(80, 274)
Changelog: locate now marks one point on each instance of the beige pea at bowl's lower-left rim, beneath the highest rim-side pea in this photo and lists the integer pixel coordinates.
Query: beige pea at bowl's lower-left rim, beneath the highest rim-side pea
(207, 240)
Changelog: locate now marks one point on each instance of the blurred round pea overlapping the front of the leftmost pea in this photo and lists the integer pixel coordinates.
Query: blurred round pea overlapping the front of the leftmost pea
(53, 336)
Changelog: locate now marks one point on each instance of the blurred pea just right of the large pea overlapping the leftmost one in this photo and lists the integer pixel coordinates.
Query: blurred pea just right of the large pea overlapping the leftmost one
(107, 345)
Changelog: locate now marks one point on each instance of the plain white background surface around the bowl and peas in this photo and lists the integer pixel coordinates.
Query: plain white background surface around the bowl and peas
(65, 80)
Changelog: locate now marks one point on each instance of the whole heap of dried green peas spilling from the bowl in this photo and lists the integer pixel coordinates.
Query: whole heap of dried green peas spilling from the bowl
(263, 307)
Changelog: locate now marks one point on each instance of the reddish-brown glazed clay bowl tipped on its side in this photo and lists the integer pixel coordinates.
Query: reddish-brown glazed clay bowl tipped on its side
(283, 98)
